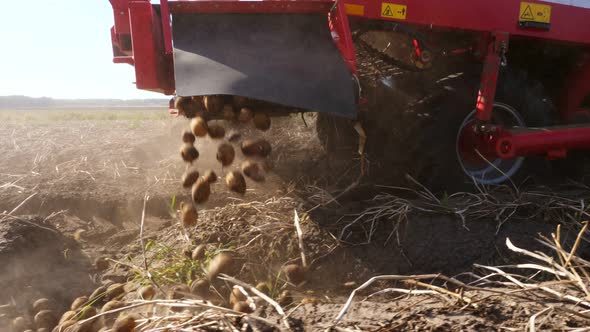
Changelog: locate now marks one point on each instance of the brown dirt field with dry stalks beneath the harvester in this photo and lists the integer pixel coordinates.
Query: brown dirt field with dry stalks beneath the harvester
(75, 183)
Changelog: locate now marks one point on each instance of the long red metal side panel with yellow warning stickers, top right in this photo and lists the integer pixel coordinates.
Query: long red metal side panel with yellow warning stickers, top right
(570, 24)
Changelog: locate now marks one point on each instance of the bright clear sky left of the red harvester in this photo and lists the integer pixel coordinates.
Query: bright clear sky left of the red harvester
(61, 49)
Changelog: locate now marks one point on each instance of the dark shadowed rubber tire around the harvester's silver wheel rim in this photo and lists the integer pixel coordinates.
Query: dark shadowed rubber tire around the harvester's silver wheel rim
(436, 160)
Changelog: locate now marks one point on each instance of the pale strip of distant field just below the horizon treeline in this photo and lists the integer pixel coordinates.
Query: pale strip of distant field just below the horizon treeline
(47, 115)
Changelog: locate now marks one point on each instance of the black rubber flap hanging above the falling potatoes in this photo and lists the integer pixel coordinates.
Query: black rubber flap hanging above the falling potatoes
(289, 59)
